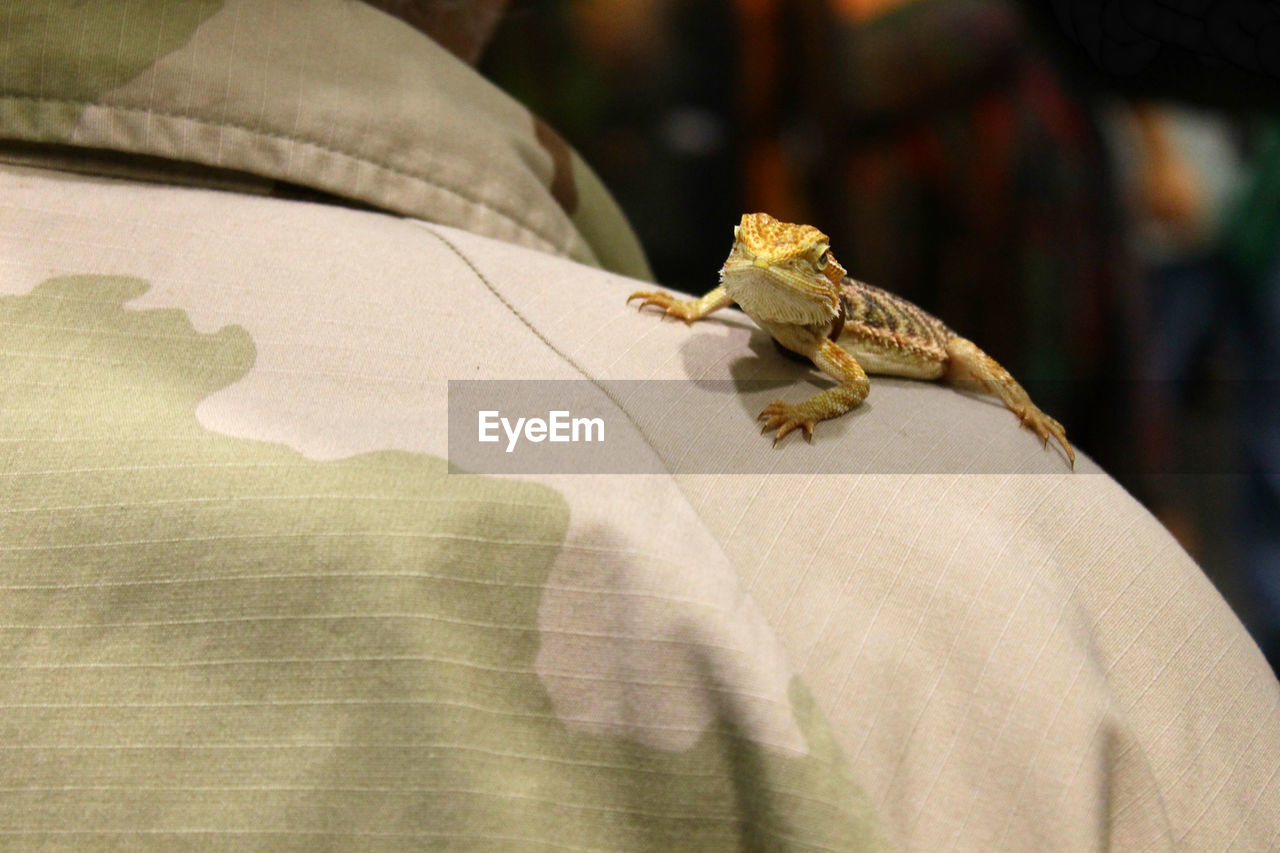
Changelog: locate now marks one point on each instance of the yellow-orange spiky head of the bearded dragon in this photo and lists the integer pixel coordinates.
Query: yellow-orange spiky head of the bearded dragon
(783, 273)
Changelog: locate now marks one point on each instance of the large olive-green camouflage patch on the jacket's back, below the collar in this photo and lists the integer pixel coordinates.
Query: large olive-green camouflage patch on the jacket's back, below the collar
(205, 636)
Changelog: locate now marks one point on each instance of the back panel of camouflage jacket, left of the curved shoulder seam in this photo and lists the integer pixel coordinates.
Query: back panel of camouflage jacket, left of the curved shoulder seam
(245, 603)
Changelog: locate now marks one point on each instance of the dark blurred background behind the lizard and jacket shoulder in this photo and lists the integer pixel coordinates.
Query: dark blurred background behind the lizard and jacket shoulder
(1101, 217)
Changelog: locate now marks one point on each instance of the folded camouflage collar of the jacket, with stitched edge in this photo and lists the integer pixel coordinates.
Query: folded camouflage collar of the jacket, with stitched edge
(330, 95)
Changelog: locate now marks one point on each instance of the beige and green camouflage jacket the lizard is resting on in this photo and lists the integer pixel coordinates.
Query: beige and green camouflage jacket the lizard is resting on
(245, 249)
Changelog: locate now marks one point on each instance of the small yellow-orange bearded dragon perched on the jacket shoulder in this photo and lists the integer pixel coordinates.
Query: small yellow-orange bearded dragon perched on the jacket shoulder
(787, 280)
